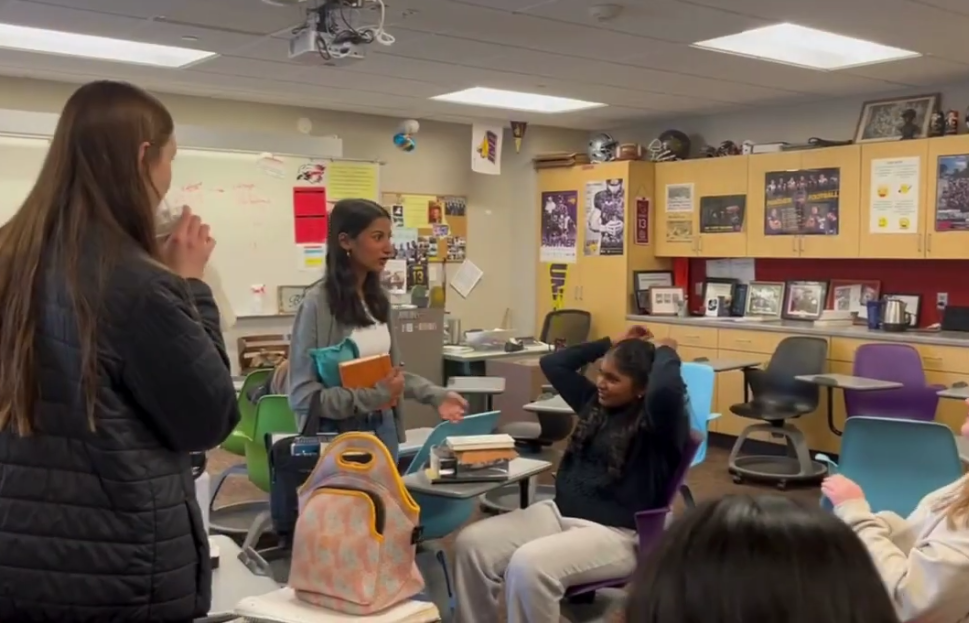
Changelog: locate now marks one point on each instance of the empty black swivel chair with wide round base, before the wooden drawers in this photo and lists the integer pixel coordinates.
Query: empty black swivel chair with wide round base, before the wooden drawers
(776, 398)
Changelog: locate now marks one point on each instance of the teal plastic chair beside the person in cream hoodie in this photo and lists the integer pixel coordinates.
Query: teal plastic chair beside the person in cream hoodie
(896, 462)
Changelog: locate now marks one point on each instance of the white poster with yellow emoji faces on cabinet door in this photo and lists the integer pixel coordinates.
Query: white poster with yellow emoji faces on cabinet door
(895, 191)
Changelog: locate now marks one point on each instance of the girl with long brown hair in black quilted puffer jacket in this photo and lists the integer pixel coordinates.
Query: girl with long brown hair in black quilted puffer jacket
(112, 371)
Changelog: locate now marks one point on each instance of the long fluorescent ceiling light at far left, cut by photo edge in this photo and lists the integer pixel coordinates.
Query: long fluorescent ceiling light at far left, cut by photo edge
(29, 39)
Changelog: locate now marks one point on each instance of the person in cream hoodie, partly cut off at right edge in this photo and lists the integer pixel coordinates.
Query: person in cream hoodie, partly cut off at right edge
(923, 559)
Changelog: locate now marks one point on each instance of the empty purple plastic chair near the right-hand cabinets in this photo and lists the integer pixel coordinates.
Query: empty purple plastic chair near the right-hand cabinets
(892, 362)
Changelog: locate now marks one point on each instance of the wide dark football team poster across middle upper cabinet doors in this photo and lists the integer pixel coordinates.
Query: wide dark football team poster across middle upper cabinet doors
(803, 202)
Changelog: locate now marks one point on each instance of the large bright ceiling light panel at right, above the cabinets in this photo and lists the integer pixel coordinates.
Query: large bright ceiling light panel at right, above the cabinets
(805, 47)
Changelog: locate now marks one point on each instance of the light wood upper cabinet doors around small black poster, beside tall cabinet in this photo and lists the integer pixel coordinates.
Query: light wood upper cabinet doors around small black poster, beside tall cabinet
(710, 177)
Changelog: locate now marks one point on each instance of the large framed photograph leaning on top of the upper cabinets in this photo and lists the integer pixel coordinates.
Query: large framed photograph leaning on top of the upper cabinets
(888, 119)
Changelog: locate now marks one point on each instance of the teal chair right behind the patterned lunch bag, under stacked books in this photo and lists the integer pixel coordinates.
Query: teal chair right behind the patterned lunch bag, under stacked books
(442, 516)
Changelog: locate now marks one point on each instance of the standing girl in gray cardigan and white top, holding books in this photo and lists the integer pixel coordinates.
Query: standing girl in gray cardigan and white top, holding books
(351, 303)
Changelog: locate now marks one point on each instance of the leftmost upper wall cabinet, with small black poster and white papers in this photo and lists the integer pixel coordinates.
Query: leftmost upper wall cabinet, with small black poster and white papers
(709, 228)
